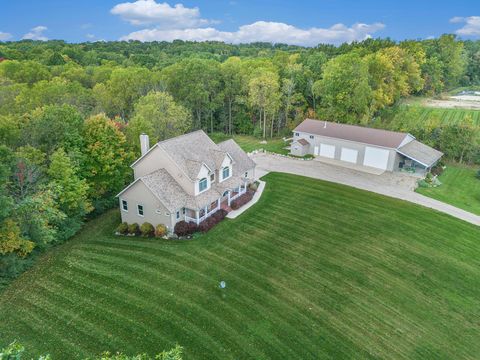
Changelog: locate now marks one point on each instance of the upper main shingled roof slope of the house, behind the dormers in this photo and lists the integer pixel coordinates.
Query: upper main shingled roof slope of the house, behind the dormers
(191, 150)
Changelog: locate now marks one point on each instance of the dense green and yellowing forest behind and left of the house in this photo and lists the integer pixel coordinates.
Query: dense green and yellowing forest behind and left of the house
(71, 114)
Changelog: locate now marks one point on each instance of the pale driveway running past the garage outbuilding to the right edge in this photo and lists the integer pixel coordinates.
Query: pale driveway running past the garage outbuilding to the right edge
(397, 185)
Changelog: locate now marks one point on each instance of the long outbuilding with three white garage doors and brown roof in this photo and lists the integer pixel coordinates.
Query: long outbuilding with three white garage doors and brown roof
(374, 148)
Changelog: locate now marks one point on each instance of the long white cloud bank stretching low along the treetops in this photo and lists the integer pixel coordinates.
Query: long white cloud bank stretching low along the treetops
(273, 32)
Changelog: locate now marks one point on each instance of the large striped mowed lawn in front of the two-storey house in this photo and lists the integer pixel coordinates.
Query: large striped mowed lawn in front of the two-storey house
(314, 270)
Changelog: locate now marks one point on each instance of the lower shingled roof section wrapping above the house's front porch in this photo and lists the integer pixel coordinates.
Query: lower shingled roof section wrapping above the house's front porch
(172, 195)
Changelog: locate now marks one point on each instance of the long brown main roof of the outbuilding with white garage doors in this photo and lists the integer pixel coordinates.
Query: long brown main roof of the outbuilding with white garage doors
(385, 138)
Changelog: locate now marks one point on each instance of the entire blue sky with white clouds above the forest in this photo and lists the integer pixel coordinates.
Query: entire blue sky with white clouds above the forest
(297, 22)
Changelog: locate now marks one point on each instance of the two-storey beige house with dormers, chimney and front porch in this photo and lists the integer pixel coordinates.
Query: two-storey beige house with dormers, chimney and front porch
(188, 178)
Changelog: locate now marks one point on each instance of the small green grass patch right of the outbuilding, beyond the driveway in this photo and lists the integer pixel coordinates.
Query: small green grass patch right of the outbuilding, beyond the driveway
(459, 187)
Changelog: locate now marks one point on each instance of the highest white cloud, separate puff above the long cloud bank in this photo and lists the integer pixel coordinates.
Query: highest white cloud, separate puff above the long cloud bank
(164, 16)
